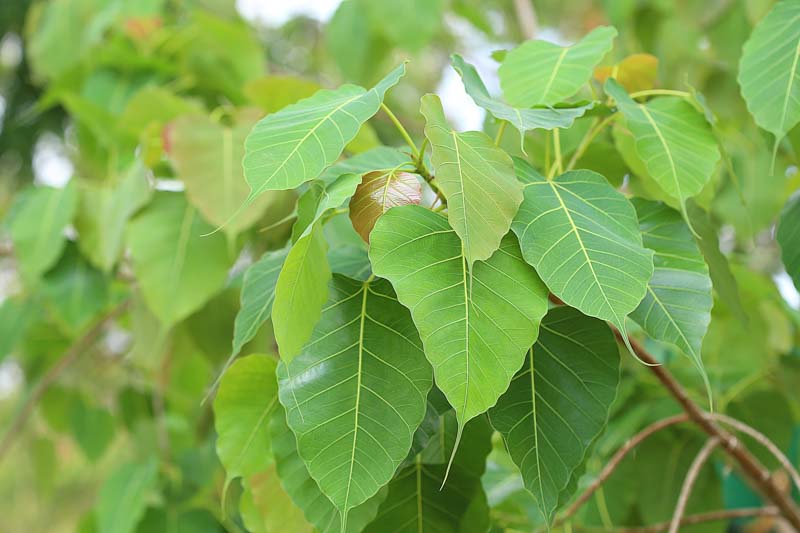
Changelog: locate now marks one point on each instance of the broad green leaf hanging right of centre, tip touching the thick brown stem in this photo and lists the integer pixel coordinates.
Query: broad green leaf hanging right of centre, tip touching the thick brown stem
(583, 239)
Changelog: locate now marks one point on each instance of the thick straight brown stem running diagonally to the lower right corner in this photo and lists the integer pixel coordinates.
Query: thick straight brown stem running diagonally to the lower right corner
(753, 470)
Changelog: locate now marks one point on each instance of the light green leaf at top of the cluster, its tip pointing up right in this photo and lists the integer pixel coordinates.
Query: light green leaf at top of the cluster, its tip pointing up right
(542, 73)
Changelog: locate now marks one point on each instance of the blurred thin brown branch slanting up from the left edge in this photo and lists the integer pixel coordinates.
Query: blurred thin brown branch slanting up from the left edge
(70, 356)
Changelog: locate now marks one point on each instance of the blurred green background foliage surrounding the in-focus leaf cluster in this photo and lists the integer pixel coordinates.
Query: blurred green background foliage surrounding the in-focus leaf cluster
(97, 95)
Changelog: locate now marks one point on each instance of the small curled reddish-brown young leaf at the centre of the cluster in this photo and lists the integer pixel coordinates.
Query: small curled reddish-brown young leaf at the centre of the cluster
(378, 192)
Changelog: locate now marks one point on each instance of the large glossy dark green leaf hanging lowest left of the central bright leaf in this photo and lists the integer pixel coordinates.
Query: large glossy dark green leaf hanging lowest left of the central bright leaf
(356, 393)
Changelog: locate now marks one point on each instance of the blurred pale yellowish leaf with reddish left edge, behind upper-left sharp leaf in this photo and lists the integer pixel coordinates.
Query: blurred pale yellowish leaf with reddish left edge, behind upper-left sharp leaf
(207, 157)
